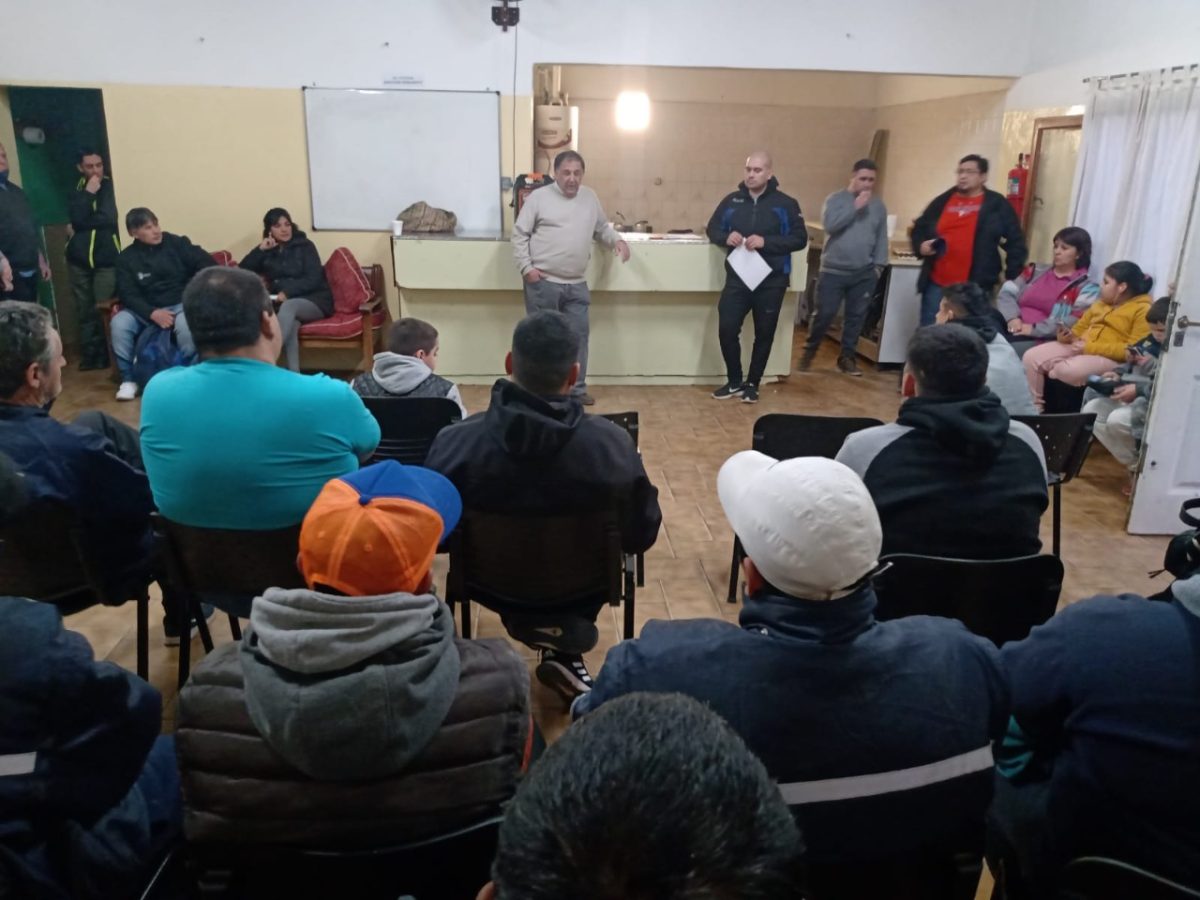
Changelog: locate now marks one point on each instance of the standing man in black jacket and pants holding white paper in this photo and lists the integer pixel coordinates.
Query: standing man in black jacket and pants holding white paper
(763, 227)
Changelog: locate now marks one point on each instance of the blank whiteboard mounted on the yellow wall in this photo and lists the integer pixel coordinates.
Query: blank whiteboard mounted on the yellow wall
(373, 153)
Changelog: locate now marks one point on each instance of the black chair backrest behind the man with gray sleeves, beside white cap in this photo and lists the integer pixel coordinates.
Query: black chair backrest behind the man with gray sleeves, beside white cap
(998, 599)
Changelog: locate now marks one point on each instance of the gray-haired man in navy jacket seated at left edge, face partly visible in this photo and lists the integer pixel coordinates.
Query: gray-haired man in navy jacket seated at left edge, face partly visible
(94, 466)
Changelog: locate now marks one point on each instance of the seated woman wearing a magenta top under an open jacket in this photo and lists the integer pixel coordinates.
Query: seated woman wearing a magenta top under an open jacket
(1042, 297)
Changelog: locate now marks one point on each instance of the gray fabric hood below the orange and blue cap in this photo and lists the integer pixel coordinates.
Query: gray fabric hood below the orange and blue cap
(349, 688)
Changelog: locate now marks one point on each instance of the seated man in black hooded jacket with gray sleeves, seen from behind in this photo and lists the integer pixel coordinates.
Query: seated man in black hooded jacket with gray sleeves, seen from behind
(953, 477)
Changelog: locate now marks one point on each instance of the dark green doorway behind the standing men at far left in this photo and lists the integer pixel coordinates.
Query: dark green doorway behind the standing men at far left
(51, 127)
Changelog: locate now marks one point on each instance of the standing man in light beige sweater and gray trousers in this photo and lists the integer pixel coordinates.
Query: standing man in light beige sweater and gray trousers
(553, 244)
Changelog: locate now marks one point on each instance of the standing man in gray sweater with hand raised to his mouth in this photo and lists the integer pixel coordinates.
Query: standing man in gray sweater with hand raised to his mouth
(856, 250)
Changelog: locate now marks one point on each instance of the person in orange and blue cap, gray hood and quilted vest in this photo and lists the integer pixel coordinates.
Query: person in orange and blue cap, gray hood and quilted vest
(357, 679)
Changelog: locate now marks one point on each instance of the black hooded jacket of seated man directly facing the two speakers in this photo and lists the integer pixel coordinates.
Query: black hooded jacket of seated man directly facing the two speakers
(545, 457)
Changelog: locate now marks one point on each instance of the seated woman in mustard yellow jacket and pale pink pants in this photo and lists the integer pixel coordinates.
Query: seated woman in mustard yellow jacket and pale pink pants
(1099, 341)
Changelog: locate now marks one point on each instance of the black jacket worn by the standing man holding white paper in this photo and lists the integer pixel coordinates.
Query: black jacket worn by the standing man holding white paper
(775, 217)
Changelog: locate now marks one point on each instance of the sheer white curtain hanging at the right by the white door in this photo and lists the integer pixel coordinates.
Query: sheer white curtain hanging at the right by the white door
(1138, 170)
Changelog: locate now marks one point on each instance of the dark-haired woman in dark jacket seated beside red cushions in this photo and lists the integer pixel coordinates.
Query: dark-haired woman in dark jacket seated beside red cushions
(291, 266)
